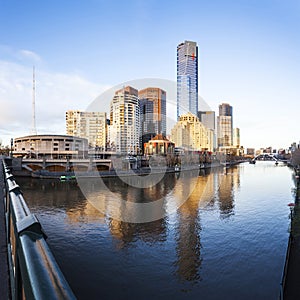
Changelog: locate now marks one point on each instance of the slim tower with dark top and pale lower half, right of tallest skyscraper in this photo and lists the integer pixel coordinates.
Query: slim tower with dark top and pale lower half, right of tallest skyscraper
(224, 124)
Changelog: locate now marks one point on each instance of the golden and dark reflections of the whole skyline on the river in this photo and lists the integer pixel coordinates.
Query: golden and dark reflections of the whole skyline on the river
(210, 189)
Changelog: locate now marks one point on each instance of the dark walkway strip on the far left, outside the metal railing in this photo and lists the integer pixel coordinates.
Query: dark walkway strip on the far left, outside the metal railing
(4, 277)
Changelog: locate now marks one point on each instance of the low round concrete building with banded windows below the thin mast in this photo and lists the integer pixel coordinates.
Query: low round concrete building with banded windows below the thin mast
(50, 146)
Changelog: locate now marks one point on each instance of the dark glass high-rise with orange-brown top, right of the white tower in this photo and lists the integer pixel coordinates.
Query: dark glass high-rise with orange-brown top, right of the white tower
(153, 113)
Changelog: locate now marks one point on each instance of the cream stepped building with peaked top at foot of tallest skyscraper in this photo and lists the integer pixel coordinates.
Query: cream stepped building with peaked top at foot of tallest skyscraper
(191, 134)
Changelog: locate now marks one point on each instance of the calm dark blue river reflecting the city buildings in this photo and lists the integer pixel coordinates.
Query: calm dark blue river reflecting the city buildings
(228, 239)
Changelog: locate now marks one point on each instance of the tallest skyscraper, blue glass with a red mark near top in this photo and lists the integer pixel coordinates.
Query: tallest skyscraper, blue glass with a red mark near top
(187, 78)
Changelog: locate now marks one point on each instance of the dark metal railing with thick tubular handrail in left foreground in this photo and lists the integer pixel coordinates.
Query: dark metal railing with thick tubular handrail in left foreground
(34, 273)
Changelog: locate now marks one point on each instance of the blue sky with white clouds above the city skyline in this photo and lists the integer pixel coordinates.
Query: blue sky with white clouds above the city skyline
(249, 57)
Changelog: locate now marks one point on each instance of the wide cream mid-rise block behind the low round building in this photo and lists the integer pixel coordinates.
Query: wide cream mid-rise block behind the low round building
(89, 125)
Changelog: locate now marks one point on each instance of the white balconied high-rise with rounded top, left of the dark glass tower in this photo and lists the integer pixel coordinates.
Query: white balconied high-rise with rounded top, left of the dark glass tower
(124, 128)
